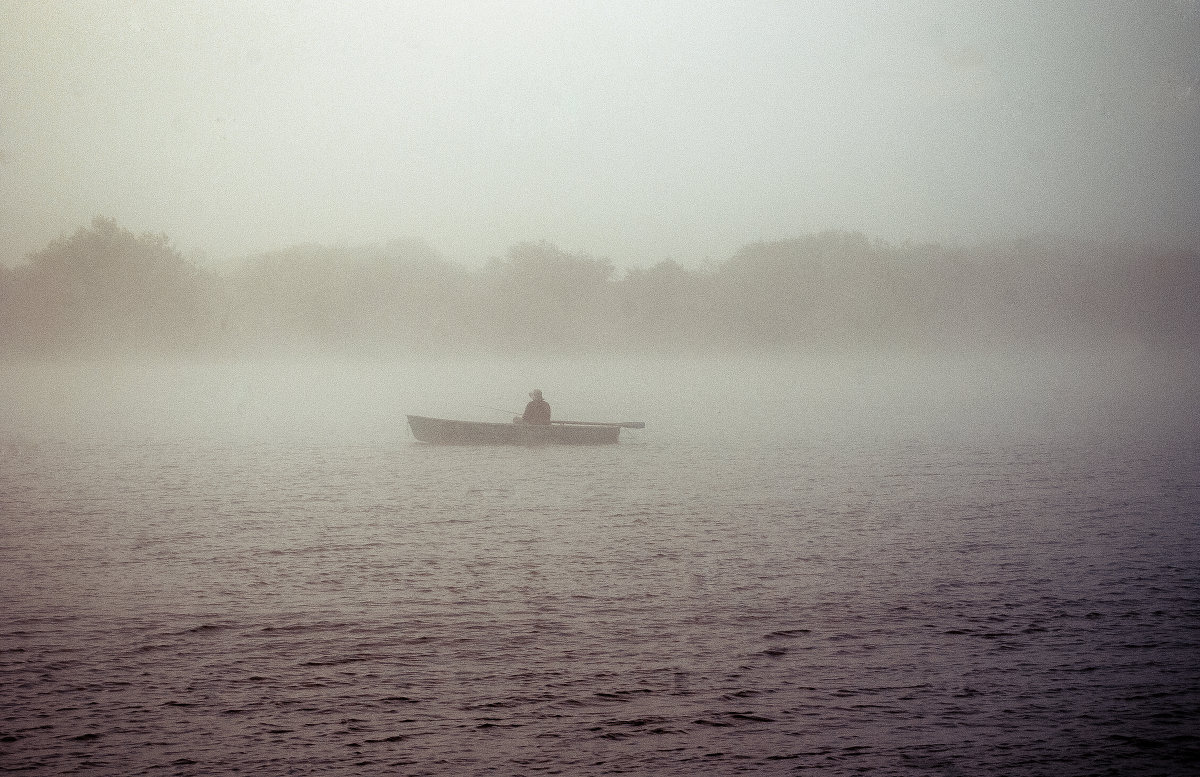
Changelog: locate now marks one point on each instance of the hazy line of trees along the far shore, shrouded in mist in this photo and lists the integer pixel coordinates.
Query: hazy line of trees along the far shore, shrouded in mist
(105, 291)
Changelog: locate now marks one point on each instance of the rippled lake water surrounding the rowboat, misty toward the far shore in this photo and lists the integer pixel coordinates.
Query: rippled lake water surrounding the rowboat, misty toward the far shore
(885, 565)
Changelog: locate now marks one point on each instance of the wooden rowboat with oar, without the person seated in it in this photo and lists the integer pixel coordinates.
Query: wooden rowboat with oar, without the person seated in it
(447, 432)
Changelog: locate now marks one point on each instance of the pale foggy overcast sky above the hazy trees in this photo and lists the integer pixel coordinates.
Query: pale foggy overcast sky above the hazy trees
(638, 131)
